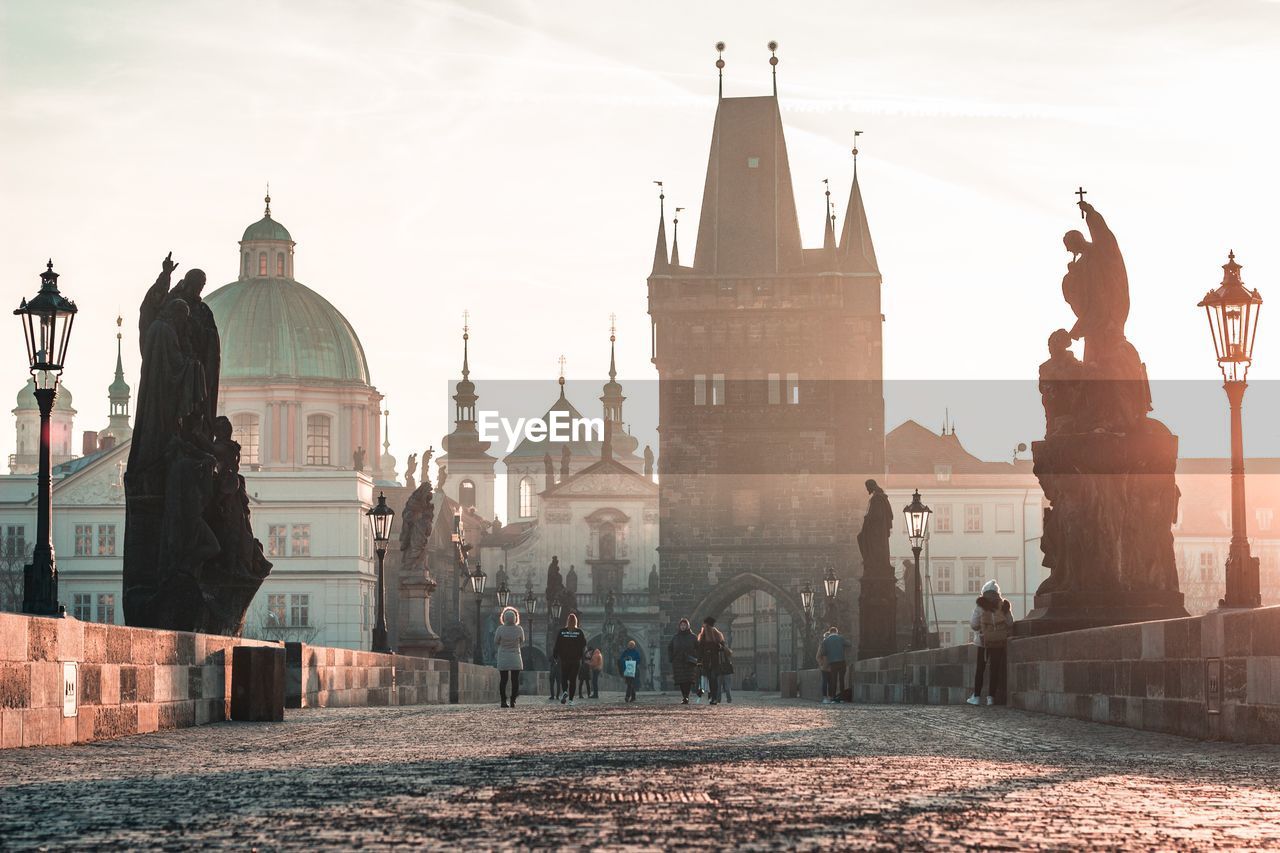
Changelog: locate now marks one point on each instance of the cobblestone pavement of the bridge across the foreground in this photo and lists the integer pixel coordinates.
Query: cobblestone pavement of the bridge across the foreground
(756, 774)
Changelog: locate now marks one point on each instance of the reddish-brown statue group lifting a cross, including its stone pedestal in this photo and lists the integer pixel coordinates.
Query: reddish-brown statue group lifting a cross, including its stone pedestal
(1107, 468)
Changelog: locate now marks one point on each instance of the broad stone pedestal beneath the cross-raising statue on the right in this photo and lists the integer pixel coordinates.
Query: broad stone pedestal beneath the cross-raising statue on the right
(1109, 531)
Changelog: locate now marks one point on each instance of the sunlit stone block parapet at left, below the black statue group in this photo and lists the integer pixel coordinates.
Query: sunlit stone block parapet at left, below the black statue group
(130, 681)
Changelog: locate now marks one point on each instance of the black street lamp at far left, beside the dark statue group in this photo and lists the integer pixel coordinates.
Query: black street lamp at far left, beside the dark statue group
(47, 323)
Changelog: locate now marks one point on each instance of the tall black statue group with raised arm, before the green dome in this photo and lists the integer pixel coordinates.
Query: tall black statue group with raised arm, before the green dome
(191, 562)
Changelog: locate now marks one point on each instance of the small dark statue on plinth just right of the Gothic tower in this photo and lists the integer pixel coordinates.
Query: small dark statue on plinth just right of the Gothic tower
(877, 601)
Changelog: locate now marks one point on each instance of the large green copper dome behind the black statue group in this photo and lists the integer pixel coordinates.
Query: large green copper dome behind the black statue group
(276, 329)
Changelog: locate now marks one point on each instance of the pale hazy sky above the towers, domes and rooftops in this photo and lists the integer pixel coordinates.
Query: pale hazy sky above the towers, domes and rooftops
(432, 158)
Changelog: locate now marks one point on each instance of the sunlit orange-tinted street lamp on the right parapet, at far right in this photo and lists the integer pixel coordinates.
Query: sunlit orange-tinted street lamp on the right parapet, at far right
(1233, 322)
